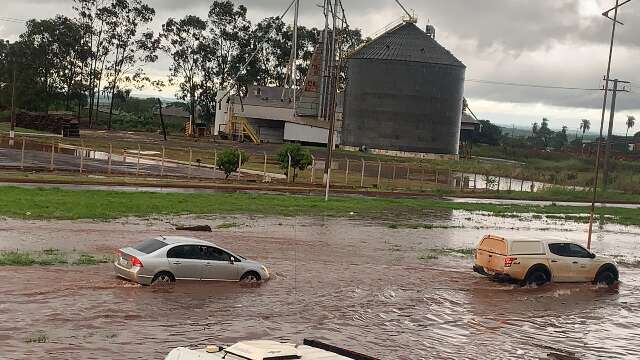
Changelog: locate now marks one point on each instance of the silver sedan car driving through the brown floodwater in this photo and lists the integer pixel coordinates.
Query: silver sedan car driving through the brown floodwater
(171, 258)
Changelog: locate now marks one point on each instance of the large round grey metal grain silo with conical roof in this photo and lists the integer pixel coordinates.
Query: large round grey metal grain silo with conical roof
(404, 95)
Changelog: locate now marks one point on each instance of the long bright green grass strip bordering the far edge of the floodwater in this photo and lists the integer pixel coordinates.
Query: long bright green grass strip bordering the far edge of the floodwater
(52, 203)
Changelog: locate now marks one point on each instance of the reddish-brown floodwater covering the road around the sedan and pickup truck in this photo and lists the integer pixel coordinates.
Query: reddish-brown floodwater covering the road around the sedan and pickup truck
(355, 284)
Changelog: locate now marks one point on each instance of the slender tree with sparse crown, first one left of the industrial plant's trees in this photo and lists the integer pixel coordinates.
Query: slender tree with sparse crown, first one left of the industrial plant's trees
(184, 41)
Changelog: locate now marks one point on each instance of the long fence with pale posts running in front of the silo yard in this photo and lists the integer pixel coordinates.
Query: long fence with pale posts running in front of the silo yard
(198, 163)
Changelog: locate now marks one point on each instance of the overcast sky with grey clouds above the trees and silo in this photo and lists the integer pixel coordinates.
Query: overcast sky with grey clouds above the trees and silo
(545, 42)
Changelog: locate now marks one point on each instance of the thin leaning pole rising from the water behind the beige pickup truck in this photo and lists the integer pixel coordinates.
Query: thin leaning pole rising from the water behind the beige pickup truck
(604, 110)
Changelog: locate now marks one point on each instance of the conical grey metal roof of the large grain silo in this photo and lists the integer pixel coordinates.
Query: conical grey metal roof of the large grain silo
(407, 42)
